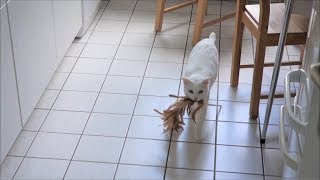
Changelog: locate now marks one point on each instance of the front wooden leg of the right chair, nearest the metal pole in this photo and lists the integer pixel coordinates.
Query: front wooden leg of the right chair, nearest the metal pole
(257, 79)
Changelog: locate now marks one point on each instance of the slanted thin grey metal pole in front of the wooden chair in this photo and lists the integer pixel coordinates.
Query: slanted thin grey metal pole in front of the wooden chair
(276, 68)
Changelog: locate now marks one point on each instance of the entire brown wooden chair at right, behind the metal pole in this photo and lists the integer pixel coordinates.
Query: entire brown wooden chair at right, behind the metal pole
(264, 21)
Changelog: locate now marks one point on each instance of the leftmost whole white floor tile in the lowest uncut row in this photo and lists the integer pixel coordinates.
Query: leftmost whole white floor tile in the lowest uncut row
(53, 145)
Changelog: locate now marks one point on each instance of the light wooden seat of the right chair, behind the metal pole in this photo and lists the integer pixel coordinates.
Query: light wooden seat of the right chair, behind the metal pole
(297, 30)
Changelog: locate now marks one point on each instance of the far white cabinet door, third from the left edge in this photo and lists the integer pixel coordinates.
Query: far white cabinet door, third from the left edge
(67, 22)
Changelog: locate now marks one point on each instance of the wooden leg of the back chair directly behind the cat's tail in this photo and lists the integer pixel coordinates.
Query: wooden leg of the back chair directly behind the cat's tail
(201, 10)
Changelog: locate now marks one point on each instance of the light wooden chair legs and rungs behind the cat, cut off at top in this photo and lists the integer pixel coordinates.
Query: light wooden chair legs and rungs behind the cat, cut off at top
(199, 20)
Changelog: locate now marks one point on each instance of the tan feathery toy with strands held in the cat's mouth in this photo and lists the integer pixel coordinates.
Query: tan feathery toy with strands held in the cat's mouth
(173, 115)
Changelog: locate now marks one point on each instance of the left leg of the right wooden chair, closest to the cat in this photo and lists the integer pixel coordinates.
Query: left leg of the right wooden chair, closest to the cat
(237, 44)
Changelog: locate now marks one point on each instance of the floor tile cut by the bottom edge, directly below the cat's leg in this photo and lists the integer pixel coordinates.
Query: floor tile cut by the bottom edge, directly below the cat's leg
(181, 174)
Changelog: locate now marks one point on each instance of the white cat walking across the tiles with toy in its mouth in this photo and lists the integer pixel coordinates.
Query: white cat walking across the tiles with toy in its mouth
(200, 74)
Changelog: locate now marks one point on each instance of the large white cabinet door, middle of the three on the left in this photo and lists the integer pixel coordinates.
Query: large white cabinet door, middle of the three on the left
(34, 49)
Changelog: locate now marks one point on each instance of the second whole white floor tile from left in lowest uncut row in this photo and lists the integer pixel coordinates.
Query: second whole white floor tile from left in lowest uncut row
(106, 149)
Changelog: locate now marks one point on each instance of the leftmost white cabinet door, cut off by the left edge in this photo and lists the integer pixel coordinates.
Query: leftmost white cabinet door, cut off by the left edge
(10, 112)
